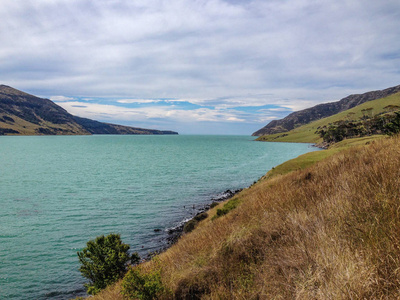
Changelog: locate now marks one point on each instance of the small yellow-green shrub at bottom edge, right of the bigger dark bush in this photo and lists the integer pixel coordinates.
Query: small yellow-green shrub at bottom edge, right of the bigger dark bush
(140, 285)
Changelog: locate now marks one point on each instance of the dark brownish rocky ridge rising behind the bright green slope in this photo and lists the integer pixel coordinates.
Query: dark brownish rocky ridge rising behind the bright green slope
(320, 111)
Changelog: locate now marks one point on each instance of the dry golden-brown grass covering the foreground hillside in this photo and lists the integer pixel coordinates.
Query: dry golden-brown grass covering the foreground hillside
(331, 231)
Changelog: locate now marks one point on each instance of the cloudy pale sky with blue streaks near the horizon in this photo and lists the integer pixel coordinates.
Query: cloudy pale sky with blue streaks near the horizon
(198, 66)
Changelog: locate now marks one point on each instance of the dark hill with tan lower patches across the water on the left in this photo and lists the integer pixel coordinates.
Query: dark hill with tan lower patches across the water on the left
(25, 114)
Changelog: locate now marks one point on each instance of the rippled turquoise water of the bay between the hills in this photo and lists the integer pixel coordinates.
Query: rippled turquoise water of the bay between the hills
(58, 192)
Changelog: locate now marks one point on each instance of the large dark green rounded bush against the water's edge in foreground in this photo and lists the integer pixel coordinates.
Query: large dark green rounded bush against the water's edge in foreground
(103, 261)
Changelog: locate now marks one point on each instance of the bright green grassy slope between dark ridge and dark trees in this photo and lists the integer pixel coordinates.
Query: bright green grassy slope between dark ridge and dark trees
(306, 133)
